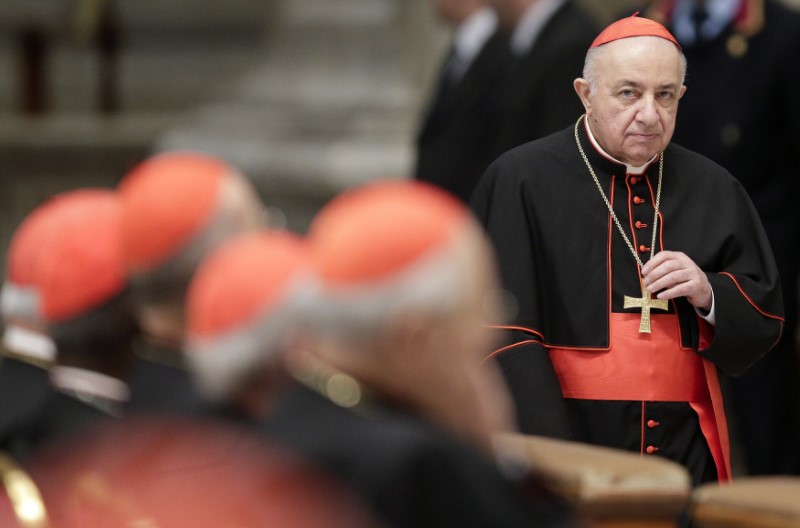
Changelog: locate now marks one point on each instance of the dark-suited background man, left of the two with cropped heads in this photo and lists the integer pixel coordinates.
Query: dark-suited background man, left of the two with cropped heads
(455, 142)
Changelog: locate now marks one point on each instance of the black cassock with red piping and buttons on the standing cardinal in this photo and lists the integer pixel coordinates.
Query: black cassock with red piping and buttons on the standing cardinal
(562, 257)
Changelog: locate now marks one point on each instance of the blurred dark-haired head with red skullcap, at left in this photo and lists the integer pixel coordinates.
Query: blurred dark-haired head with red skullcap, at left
(82, 287)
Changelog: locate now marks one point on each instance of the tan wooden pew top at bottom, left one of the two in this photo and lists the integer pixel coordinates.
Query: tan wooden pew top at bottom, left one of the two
(609, 488)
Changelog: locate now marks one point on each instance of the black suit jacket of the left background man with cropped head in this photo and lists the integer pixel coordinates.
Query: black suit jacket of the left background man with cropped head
(455, 141)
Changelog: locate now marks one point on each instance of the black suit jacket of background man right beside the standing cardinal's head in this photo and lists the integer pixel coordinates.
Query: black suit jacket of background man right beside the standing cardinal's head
(538, 92)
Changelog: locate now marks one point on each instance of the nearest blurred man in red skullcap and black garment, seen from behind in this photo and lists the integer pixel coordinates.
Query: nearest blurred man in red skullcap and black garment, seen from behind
(391, 395)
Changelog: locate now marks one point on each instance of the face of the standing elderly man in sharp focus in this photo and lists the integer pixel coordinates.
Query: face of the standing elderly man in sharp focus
(633, 107)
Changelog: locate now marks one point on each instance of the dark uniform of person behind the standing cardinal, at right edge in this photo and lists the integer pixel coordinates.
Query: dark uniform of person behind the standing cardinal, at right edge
(754, 132)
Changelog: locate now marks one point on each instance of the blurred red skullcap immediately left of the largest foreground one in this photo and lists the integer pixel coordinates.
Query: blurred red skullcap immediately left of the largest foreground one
(243, 278)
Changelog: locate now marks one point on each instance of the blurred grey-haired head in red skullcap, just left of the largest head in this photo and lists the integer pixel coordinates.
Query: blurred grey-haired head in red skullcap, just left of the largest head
(243, 303)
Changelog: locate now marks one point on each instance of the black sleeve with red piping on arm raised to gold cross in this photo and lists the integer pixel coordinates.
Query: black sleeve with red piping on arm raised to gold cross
(747, 293)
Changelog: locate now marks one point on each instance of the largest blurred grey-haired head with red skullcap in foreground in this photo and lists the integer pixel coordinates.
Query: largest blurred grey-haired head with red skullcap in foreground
(407, 286)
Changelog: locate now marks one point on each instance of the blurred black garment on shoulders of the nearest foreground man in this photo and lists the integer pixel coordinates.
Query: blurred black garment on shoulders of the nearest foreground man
(411, 473)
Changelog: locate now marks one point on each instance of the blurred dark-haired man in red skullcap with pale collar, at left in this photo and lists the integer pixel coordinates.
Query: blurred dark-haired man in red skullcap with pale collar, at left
(82, 302)
